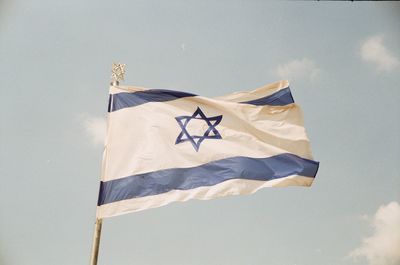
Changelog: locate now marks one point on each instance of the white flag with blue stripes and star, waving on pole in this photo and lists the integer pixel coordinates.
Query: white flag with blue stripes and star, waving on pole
(164, 146)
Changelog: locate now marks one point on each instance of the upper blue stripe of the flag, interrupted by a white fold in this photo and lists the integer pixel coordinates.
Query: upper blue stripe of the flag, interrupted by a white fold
(125, 99)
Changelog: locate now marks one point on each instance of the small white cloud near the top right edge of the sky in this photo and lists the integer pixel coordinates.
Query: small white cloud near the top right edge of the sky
(374, 51)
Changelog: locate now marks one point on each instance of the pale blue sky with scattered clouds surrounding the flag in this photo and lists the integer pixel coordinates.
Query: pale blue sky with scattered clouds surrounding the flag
(343, 63)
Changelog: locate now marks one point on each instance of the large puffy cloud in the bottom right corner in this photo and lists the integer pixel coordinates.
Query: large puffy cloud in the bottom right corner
(383, 246)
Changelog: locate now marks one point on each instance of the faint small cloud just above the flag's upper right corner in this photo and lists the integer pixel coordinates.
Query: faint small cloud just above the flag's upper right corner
(298, 69)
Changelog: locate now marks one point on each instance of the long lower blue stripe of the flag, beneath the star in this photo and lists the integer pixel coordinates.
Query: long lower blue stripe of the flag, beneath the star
(208, 174)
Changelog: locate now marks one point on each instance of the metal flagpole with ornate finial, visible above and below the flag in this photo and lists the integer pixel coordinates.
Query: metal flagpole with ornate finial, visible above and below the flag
(118, 71)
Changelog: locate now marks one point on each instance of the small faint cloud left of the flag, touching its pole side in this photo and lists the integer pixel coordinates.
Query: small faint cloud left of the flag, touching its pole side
(95, 128)
